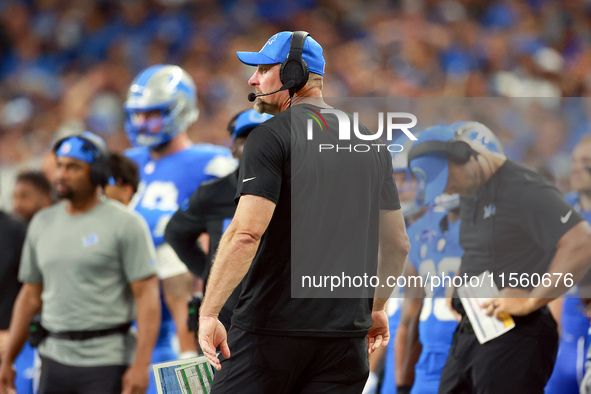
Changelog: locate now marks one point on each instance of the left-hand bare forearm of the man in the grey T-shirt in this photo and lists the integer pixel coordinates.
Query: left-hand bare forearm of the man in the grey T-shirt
(27, 304)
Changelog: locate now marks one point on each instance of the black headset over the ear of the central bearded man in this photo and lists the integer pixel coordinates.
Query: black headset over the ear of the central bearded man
(295, 69)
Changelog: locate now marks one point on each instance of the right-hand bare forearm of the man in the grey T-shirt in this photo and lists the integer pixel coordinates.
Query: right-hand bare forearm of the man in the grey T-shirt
(148, 323)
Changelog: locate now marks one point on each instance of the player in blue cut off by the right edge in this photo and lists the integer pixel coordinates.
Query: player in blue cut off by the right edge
(574, 324)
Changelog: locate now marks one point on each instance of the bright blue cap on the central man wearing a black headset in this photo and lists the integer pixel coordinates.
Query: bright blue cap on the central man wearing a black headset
(276, 50)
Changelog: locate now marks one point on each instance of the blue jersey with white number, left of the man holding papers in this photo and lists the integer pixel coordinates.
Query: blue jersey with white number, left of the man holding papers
(434, 253)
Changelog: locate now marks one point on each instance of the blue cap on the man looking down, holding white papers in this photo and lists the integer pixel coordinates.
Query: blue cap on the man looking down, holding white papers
(432, 169)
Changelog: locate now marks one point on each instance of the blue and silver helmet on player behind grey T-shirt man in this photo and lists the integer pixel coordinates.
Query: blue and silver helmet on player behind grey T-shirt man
(165, 88)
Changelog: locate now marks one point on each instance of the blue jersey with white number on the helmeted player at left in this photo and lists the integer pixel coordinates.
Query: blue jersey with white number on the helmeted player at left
(166, 184)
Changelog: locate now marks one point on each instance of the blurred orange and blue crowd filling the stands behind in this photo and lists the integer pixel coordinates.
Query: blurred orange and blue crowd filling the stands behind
(65, 65)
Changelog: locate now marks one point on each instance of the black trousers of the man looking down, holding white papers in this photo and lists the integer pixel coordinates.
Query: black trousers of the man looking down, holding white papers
(519, 361)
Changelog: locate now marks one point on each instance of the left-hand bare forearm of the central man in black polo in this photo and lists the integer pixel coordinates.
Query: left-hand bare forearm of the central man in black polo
(233, 259)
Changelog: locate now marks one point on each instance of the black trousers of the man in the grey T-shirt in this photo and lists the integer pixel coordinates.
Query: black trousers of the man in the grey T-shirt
(57, 378)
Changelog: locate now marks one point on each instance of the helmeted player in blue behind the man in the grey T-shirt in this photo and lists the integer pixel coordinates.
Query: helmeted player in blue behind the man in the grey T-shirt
(160, 106)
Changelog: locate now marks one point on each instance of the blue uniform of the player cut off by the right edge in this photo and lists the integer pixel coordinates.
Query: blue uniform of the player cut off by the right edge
(569, 368)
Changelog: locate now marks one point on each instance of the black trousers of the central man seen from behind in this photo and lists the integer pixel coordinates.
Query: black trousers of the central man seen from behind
(285, 364)
